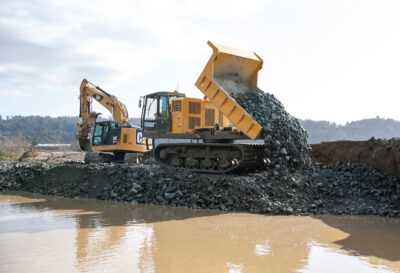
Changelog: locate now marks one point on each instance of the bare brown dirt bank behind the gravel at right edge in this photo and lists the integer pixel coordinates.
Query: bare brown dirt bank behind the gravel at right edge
(383, 154)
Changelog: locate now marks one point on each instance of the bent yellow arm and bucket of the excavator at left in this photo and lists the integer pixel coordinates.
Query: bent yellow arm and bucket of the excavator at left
(88, 92)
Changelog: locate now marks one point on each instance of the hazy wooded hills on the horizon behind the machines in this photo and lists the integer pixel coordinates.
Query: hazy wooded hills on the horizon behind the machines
(63, 129)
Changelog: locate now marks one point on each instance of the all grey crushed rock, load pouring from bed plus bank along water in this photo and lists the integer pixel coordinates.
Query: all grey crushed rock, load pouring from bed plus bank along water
(291, 184)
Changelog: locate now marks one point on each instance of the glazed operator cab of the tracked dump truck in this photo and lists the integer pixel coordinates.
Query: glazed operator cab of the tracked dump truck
(156, 112)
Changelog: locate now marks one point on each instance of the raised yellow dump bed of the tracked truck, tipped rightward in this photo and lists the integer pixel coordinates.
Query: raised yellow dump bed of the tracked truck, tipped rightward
(230, 72)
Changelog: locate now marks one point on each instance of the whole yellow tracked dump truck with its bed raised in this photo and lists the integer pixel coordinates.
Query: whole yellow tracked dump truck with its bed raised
(214, 124)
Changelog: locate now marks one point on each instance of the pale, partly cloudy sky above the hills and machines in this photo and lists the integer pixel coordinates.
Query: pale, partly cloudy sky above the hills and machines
(336, 60)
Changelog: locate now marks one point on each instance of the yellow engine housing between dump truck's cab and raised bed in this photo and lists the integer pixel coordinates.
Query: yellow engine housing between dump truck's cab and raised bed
(189, 114)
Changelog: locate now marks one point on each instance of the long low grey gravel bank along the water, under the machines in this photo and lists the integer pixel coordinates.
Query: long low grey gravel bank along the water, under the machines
(339, 189)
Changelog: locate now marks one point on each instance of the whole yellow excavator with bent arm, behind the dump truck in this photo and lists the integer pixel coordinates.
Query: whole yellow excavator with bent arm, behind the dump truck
(112, 141)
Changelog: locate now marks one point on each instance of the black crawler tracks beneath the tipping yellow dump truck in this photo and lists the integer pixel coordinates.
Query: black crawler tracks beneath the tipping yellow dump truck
(211, 157)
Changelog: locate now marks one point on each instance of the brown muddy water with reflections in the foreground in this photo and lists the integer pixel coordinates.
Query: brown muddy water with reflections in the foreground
(44, 234)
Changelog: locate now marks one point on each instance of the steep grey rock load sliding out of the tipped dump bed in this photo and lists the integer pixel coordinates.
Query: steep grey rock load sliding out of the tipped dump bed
(284, 136)
